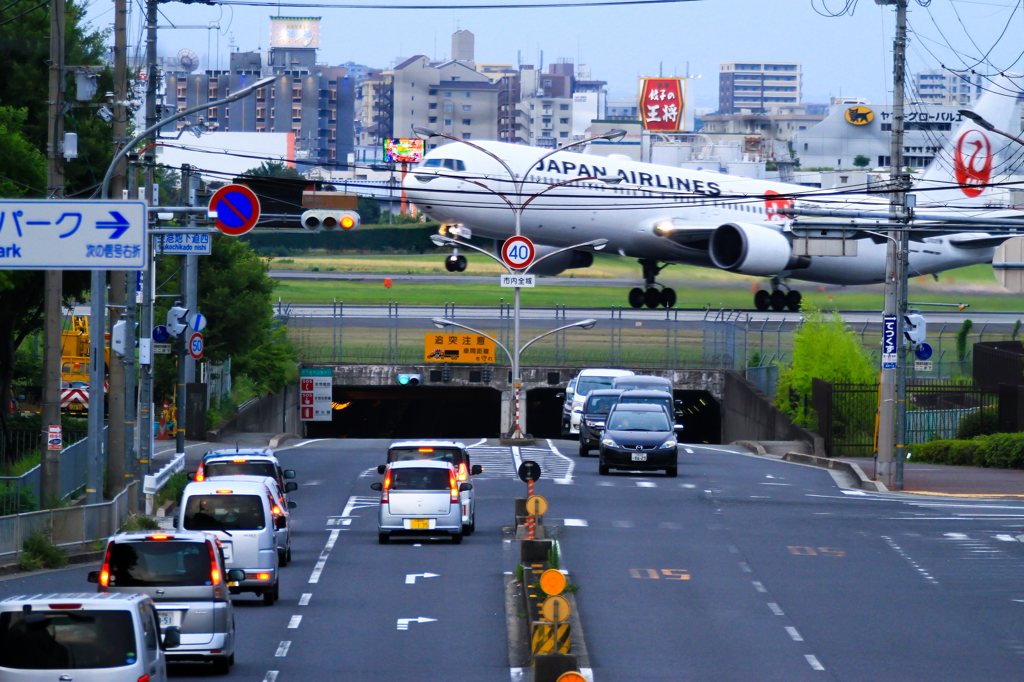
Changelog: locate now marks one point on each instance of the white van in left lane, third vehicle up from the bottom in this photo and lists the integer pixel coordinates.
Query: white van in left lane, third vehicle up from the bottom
(241, 515)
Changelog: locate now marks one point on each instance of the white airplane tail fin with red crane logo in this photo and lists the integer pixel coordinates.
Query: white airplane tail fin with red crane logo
(974, 158)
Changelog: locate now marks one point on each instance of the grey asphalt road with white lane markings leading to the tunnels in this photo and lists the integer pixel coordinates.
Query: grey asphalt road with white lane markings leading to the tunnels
(742, 569)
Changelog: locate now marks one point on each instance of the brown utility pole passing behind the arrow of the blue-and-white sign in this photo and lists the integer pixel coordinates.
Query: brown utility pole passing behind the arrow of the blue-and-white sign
(116, 431)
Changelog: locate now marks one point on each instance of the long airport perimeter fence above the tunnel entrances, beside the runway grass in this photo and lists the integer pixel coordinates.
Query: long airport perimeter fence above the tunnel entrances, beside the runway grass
(622, 337)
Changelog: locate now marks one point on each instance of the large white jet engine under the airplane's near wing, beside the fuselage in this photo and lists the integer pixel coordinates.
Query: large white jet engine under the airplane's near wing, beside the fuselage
(751, 249)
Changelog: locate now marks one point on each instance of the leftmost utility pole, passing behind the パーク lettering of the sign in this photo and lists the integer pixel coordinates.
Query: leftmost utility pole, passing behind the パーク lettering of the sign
(53, 314)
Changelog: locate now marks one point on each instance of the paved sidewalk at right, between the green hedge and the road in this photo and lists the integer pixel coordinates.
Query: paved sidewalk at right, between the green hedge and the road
(943, 480)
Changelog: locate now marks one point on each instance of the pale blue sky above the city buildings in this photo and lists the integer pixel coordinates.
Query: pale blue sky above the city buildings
(848, 56)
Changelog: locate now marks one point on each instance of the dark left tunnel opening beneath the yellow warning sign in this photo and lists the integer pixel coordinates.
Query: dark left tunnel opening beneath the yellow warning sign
(408, 412)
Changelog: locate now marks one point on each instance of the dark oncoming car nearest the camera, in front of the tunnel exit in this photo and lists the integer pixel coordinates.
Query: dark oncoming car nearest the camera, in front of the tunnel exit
(638, 437)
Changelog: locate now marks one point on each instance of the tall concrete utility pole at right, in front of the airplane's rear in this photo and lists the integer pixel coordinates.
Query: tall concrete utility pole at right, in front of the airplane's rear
(891, 432)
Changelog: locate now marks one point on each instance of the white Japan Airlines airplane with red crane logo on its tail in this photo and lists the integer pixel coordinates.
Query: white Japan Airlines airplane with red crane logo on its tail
(664, 216)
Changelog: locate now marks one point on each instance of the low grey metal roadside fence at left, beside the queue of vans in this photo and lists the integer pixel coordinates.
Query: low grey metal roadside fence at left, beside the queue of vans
(70, 528)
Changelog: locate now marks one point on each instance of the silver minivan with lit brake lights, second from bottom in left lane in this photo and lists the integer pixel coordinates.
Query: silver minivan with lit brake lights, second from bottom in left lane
(184, 573)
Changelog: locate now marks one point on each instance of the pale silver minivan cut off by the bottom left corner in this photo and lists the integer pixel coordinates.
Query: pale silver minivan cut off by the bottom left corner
(83, 637)
